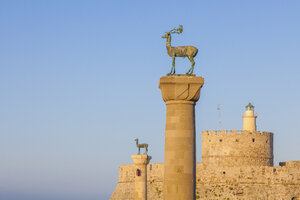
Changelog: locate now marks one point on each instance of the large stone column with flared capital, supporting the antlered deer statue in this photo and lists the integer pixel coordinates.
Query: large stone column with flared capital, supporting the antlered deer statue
(180, 94)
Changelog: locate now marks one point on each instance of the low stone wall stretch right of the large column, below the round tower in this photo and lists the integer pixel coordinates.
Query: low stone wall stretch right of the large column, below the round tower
(259, 183)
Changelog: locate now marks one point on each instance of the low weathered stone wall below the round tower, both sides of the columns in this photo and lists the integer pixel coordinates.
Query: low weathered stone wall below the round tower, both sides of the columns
(240, 182)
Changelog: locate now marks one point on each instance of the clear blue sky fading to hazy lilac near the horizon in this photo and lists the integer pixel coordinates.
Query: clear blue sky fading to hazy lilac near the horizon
(79, 82)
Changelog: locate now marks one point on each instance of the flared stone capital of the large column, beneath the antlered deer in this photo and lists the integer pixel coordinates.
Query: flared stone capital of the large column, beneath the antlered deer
(186, 88)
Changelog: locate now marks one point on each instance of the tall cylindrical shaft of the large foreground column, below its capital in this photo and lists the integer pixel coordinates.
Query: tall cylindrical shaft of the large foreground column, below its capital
(179, 181)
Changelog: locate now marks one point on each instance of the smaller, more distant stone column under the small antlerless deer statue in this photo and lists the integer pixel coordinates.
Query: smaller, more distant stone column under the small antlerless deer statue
(140, 185)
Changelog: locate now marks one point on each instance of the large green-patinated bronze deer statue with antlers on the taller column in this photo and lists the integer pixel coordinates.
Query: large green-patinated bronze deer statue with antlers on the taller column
(181, 51)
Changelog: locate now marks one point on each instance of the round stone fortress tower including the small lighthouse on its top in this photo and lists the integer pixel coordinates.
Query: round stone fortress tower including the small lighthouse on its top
(238, 148)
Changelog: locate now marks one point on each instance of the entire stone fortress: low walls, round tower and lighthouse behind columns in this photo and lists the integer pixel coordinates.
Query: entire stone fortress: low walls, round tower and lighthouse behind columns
(235, 165)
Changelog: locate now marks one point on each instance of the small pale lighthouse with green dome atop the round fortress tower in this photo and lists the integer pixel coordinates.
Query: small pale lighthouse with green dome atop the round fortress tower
(249, 118)
